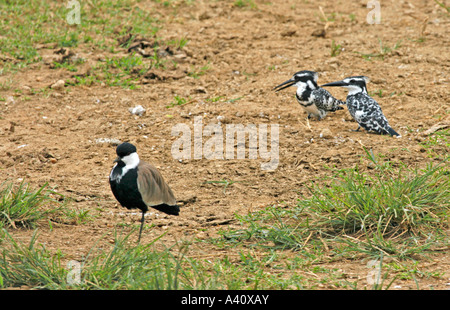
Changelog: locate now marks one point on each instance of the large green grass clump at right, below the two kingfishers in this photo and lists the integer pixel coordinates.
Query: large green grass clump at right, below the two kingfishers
(401, 213)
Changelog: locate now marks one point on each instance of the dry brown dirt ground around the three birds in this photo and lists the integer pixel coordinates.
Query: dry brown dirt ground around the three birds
(247, 51)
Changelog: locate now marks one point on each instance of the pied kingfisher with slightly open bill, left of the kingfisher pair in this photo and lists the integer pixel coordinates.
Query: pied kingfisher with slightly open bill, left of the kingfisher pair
(315, 100)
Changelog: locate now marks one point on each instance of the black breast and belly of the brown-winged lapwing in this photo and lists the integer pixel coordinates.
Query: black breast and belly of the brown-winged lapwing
(125, 189)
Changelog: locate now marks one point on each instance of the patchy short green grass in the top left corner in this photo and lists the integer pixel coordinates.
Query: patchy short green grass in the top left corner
(100, 29)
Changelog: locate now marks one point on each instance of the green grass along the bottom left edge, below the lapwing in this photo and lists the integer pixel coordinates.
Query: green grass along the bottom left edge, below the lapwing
(122, 266)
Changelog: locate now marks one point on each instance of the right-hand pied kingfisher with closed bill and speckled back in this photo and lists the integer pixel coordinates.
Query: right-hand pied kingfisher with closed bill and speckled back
(363, 108)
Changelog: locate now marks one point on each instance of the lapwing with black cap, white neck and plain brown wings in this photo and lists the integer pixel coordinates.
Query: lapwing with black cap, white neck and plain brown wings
(139, 185)
